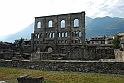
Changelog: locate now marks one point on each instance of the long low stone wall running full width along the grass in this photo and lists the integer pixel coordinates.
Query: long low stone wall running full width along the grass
(71, 66)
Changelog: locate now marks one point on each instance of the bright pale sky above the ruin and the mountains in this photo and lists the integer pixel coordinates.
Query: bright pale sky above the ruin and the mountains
(16, 15)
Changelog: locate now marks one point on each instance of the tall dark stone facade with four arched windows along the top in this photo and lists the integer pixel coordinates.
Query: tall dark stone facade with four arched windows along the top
(58, 33)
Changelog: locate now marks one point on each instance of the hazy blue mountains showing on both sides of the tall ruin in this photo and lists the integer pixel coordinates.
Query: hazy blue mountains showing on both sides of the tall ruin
(94, 27)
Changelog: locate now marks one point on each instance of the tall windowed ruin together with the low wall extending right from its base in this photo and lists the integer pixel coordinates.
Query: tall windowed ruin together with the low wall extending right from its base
(65, 42)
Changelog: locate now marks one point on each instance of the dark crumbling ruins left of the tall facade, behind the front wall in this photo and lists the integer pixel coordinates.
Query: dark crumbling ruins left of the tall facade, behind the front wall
(9, 50)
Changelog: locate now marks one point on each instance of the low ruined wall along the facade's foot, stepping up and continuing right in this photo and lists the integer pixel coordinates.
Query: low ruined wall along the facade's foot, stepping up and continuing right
(89, 54)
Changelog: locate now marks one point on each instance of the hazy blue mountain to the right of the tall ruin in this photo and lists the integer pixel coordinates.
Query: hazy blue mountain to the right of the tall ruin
(98, 26)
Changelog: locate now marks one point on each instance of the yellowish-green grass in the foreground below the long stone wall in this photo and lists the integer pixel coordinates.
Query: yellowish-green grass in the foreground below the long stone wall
(10, 75)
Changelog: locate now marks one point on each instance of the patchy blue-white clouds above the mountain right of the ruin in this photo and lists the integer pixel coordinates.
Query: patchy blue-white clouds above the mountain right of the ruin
(109, 8)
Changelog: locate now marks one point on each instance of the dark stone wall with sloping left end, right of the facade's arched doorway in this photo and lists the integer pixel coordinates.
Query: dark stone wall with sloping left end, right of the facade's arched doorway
(90, 54)
